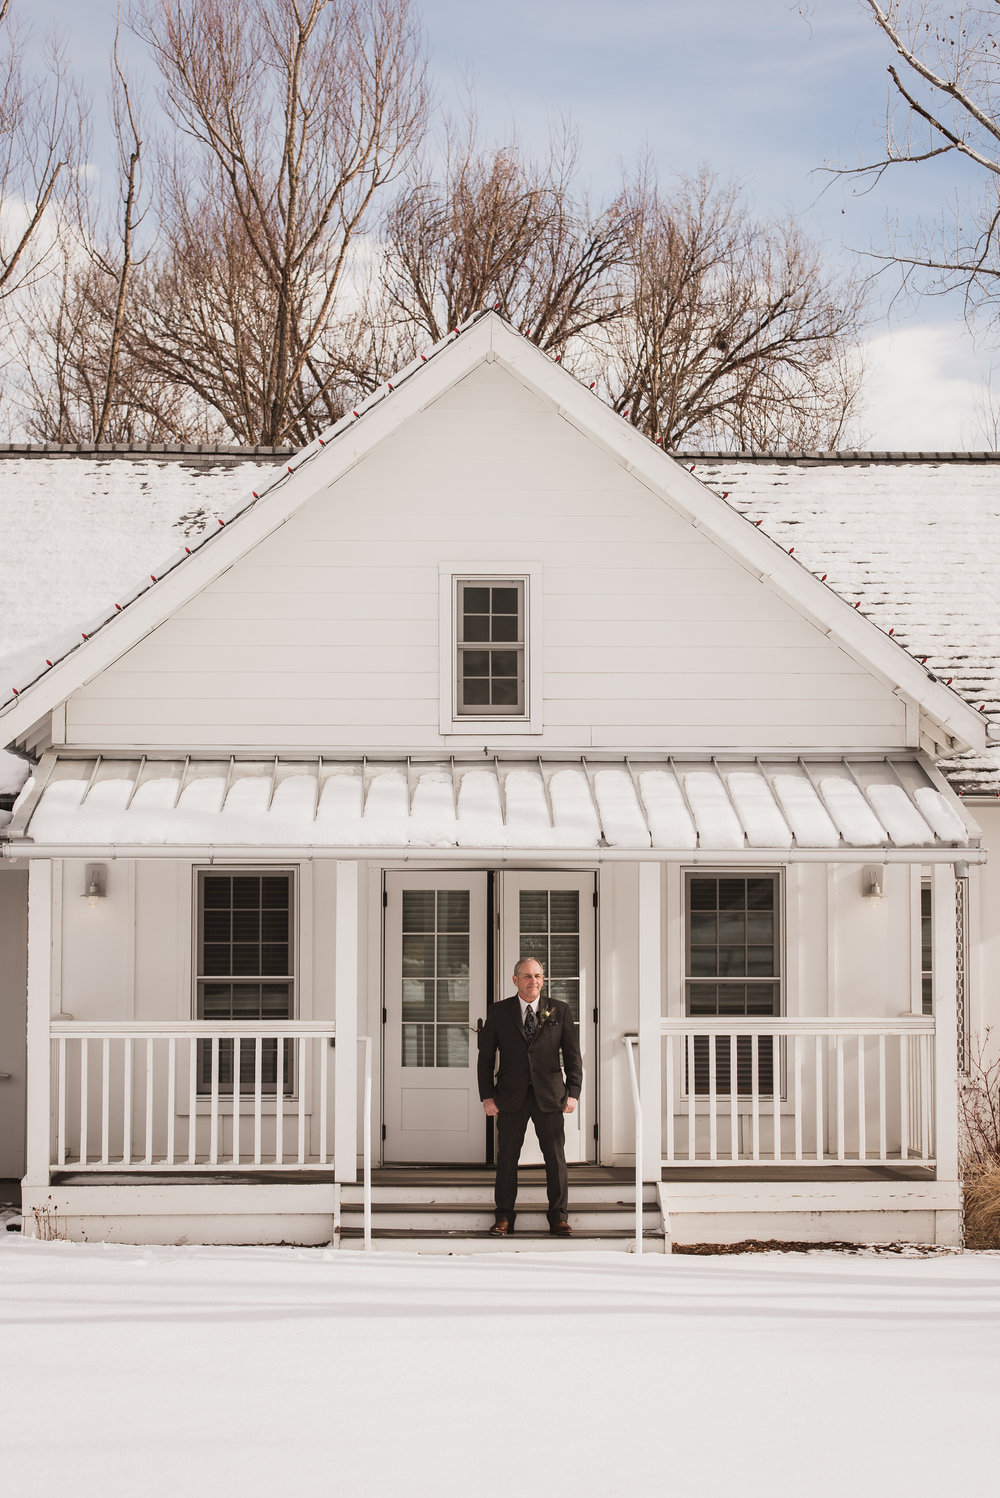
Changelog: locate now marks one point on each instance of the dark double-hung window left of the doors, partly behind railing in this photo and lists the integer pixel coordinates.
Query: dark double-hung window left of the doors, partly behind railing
(246, 971)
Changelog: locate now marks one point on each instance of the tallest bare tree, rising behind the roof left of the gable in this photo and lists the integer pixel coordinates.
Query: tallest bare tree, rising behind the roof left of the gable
(291, 116)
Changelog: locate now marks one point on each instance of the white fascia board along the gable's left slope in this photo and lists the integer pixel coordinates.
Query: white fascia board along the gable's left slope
(311, 473)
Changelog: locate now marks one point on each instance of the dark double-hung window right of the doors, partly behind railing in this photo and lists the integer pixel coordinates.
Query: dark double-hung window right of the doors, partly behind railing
(734, 970)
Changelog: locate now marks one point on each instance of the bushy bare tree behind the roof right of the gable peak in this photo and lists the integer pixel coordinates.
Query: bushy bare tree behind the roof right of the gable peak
(731, 330)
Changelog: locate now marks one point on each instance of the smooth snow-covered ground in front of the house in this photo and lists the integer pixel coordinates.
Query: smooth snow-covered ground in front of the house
(242, 1373)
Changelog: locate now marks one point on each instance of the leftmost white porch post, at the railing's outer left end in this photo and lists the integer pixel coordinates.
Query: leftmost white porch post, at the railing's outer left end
(40, 1063)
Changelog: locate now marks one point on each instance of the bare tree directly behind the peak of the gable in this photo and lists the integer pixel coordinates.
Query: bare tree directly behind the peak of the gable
(501, 230)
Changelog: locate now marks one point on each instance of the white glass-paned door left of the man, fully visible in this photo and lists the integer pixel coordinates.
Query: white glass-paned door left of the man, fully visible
(435, 1003)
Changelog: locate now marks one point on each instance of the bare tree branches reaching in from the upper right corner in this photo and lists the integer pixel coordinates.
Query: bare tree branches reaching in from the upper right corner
(945, 103)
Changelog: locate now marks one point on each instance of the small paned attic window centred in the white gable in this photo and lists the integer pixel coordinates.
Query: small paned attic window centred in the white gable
(490, 676)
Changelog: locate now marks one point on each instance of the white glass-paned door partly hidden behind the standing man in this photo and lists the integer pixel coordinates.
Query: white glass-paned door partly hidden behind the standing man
(552, 918)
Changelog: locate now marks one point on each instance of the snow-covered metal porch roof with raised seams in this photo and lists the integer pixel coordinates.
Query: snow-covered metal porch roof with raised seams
(492, 802)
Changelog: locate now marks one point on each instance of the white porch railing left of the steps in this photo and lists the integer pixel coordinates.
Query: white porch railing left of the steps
(192, 1096)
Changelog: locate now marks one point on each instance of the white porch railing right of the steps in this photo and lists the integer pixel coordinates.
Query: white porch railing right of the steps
(797, 1091)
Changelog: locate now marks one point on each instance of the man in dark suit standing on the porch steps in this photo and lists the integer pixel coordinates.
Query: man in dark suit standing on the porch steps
(529, 1034)
